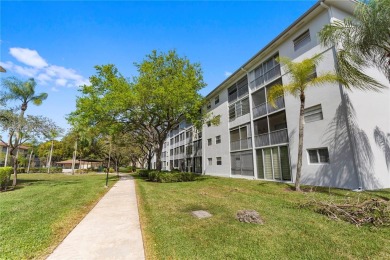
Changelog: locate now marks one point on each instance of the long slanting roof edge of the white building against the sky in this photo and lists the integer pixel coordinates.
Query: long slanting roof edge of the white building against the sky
(242, 67)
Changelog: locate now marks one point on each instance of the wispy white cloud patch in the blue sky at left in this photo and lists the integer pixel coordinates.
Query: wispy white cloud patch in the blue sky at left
(45, 74)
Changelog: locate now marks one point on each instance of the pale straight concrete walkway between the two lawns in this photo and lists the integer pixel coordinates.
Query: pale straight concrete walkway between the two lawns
(110, 231)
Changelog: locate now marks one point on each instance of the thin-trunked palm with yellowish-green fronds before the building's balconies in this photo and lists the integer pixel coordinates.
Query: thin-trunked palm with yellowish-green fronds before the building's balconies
(302, 76)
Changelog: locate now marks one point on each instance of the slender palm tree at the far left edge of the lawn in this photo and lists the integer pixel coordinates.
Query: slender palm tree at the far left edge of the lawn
(16, 89)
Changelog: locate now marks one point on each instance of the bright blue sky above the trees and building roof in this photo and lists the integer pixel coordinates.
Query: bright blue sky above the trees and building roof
(59, 43)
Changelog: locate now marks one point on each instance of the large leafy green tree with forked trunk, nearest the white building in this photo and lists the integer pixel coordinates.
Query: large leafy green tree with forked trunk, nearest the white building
(167, 93)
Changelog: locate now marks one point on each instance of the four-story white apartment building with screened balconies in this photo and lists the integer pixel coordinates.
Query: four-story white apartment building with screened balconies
(258, 141)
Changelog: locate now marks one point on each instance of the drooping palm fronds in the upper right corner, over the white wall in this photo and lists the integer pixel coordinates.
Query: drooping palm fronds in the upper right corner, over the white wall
(361, 42)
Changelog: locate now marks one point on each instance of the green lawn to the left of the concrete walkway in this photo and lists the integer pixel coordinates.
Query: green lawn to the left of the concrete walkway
(43, 209)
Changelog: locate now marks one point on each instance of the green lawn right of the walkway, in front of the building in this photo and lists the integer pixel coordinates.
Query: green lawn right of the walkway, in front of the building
(289, 232)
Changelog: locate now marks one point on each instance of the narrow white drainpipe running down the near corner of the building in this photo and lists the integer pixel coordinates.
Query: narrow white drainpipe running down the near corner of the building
(342, 93)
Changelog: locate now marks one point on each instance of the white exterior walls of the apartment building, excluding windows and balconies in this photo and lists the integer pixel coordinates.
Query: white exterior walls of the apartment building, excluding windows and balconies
(352, 120)
